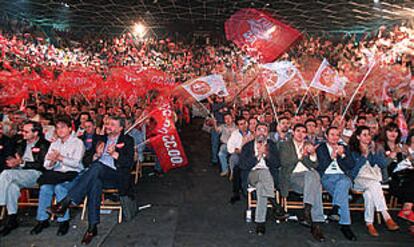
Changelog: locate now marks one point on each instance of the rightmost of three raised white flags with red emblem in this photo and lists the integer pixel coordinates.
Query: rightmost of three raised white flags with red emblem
(328, 80)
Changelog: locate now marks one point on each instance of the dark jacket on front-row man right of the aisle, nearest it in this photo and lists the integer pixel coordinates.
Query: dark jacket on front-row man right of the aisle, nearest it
(248, 160)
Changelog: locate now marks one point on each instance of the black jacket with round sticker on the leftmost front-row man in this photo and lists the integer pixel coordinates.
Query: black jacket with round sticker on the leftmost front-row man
(39, 152)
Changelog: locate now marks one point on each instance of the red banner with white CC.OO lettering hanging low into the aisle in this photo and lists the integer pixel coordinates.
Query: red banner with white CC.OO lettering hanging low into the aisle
(166, 142)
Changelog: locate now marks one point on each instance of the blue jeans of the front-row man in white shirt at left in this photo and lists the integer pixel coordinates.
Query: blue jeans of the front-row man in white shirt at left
(46, 196)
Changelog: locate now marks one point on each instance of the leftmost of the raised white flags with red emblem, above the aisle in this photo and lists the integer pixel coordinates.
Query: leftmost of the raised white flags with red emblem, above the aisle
(203, 87)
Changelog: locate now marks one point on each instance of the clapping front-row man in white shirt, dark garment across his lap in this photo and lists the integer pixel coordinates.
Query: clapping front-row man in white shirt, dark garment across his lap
(63, 163)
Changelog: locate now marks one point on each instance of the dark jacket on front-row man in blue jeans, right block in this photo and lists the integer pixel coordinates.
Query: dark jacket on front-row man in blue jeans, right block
(324, 160)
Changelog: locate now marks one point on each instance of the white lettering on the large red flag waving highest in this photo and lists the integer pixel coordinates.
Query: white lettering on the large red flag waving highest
(259, 29)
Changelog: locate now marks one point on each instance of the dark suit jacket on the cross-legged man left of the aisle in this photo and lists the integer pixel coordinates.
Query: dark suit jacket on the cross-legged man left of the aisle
(125, 161)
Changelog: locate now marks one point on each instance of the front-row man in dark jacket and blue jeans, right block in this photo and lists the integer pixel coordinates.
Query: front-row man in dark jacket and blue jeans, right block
(334, 168)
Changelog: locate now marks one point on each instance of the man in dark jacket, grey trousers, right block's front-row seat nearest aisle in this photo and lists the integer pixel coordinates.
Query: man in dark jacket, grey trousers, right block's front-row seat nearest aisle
(259, 159)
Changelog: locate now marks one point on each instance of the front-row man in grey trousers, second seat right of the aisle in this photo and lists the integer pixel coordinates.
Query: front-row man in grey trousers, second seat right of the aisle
(298, 162)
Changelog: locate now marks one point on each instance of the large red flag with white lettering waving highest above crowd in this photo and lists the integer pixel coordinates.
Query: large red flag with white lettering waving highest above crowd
(258, 31)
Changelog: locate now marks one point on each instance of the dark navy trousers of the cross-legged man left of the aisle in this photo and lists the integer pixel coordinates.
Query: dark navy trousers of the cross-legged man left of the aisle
(91, 183)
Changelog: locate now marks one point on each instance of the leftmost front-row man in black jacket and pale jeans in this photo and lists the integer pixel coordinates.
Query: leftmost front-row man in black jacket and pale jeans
(26, 166)
